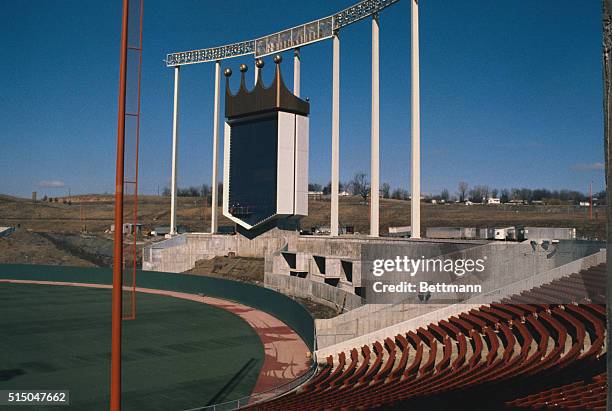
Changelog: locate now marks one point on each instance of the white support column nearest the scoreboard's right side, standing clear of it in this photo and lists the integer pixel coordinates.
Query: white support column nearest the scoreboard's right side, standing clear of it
(335, 136)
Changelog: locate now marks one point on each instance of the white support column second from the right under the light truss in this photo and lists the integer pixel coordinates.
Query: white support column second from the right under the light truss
(374, 163)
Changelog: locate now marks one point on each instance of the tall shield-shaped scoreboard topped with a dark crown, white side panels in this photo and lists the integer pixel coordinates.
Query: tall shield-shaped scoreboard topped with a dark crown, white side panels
(265, 167)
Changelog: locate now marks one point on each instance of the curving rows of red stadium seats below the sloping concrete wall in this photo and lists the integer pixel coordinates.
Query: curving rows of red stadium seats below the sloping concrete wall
(527, 338)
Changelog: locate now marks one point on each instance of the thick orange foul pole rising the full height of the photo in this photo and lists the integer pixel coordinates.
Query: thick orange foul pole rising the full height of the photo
(115, 404)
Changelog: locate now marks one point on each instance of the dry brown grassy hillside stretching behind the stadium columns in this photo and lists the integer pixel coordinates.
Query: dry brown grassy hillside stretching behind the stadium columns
(95, 212)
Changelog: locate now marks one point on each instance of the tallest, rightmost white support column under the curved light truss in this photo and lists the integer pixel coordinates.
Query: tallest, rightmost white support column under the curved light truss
(415, 203)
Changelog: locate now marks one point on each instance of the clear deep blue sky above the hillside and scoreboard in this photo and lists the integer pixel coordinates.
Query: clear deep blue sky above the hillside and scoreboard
(511, 91)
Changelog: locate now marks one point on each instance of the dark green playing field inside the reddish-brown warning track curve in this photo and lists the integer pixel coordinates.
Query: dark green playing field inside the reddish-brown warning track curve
(177, 354)
